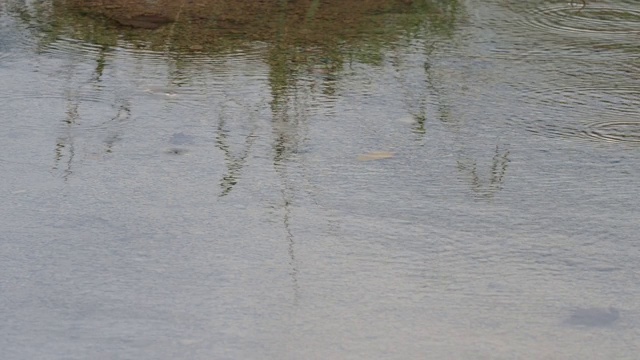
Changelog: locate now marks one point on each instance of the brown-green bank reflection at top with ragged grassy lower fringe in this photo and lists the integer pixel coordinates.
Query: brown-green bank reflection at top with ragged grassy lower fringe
(300, 36)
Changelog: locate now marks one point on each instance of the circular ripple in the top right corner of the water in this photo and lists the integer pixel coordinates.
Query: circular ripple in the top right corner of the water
(590, 20)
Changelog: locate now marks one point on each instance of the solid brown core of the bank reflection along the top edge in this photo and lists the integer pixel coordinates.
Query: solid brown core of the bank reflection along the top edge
(211, 23)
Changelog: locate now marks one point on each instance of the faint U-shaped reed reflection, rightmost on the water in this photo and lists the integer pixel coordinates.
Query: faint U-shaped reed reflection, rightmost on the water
(497, 171)
